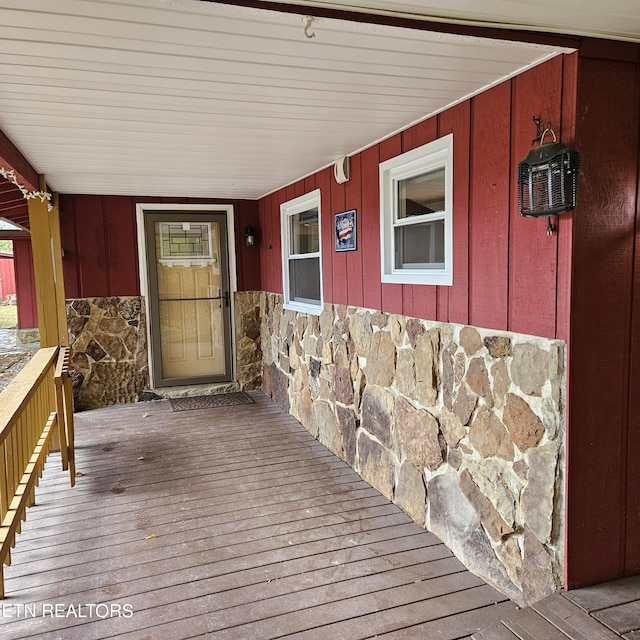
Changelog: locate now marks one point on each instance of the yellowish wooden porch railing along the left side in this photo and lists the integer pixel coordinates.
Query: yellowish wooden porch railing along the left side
(36, 413)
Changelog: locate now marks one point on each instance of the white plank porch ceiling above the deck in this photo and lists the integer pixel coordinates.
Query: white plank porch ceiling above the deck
(189, 98)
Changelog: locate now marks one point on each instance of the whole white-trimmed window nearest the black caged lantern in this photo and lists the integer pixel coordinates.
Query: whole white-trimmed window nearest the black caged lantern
(416, 215)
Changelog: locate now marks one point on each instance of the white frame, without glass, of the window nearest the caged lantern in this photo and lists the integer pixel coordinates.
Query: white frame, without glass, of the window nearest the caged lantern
(429, 157)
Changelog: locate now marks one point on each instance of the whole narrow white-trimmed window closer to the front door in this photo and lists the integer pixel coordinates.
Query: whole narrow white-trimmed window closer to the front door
(301, 258)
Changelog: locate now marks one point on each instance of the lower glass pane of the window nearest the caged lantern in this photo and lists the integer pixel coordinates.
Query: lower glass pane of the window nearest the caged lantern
(420, 246)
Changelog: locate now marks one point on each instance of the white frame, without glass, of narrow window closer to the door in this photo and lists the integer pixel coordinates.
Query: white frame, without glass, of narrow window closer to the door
(301, 204)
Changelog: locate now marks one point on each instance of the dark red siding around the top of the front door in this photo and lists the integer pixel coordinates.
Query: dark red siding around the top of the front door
(99, 240)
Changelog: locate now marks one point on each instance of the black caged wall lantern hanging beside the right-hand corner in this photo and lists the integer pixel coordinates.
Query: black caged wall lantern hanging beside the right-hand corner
(548, 179)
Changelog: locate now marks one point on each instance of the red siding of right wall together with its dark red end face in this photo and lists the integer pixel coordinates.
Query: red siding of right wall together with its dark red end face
(581, 284)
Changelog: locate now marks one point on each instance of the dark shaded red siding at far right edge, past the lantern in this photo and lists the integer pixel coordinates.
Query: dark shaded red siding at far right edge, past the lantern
(603, 486)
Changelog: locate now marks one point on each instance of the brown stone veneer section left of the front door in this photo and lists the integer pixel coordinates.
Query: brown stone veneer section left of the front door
(108, 340)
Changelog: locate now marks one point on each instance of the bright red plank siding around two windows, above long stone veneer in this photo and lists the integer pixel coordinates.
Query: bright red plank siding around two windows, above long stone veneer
(506, 267)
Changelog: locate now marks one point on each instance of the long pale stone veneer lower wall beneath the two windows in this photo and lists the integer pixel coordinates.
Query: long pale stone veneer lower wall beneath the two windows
(463, 428)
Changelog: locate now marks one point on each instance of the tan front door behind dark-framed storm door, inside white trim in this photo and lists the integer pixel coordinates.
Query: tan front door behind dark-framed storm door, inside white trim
(188, 298)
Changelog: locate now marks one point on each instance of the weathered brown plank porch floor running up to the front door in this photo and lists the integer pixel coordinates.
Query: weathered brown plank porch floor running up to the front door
(227, 523)
